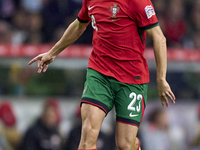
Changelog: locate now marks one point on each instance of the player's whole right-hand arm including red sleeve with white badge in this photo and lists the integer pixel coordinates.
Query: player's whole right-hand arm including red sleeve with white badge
(144, 15)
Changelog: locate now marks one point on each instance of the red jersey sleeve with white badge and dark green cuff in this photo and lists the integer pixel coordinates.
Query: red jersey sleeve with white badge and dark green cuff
(144, 14)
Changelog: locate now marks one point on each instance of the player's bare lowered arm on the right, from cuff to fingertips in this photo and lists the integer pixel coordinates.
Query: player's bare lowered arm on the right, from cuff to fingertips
(160, 52)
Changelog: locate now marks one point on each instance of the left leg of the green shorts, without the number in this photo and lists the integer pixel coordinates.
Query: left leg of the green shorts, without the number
(97, 91)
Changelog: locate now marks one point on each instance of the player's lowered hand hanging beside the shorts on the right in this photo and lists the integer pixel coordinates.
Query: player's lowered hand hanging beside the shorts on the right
(165, 92)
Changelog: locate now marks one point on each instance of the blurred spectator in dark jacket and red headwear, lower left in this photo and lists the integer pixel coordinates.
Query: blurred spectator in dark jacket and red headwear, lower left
(44, 134)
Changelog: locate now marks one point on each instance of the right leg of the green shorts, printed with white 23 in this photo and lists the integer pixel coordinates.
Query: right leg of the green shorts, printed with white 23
(130, 103)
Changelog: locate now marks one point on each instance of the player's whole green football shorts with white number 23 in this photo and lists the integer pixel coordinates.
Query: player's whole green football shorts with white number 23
(105, 92)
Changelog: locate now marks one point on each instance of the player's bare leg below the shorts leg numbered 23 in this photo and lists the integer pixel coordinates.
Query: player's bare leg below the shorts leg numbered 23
(125, 135)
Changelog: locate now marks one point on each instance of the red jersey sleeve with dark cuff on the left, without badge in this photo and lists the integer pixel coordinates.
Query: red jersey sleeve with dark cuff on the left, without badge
(83, 14)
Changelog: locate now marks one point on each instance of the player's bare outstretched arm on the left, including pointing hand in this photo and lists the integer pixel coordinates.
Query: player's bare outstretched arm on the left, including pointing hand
(72, 33)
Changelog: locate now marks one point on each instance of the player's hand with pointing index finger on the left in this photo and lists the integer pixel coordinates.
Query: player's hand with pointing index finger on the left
(43, 61)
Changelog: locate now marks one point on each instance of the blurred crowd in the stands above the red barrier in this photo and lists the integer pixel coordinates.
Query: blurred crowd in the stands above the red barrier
(44, 21)
